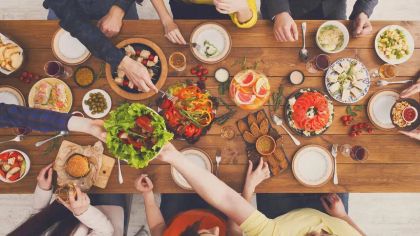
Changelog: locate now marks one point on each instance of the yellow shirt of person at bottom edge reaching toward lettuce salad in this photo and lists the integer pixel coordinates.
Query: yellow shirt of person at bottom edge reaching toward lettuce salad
(296, 223)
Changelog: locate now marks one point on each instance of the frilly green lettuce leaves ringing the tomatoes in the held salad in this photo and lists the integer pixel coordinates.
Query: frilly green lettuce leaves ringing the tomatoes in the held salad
(123, 118)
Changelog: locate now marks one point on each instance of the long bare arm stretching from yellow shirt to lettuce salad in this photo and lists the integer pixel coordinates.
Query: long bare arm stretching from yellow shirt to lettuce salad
(209, 187)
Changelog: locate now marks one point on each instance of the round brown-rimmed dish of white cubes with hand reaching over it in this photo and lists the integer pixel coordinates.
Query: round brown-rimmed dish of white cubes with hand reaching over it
(148, 54)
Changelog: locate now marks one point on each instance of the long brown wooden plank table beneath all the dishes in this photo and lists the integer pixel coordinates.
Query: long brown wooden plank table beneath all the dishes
(394, 160)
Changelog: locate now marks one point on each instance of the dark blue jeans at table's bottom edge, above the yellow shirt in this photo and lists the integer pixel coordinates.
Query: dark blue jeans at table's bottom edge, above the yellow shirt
(276, 204)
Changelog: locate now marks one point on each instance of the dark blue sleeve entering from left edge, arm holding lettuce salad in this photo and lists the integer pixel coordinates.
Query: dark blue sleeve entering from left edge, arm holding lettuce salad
(13, 116)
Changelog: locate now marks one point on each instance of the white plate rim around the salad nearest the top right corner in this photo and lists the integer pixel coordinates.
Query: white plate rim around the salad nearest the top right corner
(410, 42)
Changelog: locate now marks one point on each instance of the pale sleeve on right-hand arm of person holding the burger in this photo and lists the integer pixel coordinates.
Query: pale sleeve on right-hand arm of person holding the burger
(97, 221)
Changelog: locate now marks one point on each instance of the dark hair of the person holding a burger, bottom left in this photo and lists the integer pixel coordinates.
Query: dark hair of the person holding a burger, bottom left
(55, 217)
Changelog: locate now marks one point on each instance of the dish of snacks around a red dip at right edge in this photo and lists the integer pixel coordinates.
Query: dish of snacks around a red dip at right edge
(405, 114)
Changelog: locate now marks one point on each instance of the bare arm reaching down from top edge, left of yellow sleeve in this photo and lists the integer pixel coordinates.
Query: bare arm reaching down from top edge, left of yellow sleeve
(172, 32)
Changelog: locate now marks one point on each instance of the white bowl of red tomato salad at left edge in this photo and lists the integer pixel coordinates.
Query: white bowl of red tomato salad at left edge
(14, 165)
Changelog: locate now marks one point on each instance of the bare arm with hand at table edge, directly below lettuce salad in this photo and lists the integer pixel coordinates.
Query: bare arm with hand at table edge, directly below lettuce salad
(153, 214)
